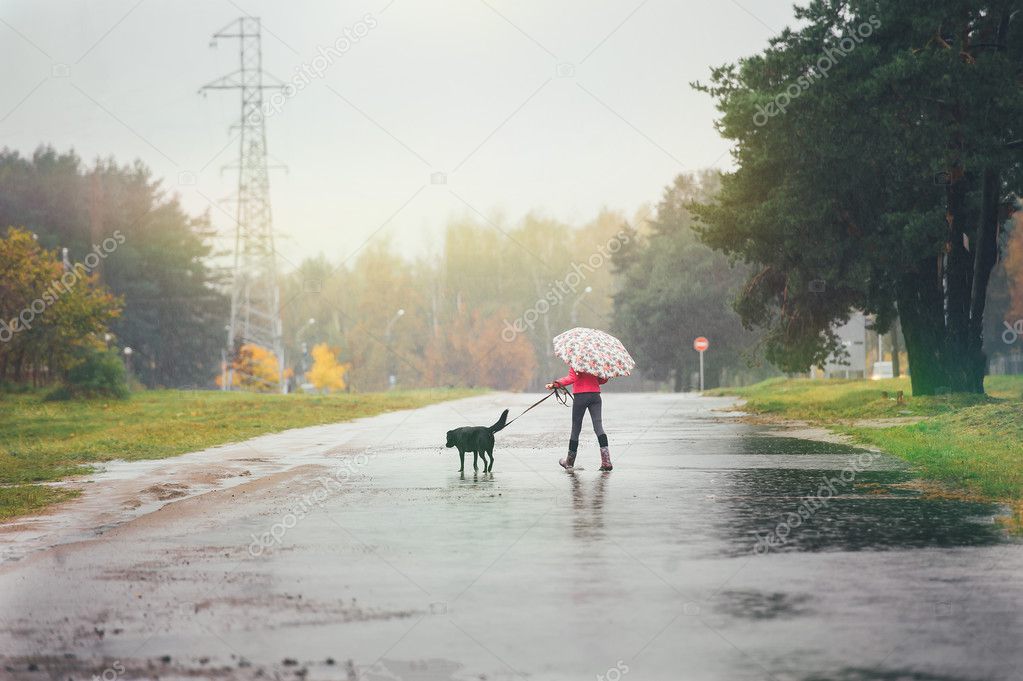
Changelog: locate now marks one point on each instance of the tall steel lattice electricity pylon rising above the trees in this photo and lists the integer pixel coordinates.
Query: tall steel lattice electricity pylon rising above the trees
(255, 295)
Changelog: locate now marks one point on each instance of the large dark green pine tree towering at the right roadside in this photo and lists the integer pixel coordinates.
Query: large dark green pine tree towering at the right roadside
(877, 152)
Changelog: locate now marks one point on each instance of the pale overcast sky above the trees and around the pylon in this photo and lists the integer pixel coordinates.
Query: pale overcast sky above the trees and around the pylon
(555, 108)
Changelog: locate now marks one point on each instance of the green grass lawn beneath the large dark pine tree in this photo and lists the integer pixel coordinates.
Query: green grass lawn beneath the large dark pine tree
(972, 443)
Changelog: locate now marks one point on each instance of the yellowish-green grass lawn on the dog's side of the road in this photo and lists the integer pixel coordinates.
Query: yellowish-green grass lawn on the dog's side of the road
(49, 441)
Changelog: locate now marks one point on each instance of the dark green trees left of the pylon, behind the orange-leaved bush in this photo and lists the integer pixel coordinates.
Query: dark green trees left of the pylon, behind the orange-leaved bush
(155, 257)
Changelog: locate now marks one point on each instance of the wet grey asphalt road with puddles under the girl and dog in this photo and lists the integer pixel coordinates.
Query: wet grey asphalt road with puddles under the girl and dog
(699, 558)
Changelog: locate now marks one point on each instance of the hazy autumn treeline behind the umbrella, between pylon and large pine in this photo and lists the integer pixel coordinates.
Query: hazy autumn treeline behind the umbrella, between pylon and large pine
(484, 309)
